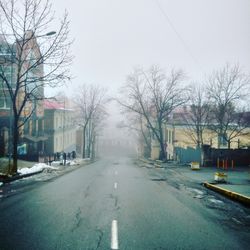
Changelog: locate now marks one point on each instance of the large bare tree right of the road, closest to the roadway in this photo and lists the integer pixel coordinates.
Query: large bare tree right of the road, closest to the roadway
(153, 95)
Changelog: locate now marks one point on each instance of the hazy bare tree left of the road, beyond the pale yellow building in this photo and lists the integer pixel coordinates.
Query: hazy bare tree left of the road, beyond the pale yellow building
(90, 101)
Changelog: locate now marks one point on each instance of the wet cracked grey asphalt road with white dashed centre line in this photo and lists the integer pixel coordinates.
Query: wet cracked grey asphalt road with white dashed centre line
(111, 204)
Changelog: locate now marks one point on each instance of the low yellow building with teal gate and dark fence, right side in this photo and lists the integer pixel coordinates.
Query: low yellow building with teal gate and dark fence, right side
(186, 147)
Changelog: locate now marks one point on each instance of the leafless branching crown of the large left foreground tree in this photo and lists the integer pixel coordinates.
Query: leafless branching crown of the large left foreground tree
(25, 26)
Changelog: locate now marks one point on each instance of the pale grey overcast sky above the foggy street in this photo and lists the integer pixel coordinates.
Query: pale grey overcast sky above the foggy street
(114, 36)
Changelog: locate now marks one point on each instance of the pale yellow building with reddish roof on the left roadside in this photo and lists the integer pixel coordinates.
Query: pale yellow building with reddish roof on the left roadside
(59, 128)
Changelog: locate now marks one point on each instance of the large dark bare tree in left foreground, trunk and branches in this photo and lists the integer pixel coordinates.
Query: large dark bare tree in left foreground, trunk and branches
(37, 57)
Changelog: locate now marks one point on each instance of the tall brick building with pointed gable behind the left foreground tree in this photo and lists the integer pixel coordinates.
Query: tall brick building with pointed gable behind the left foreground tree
(31, 133)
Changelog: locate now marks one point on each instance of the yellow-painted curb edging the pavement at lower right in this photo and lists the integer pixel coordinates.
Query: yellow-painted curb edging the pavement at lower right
(245, 200)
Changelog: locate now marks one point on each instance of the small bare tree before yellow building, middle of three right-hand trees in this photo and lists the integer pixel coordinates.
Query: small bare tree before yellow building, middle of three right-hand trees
(197, 115)
